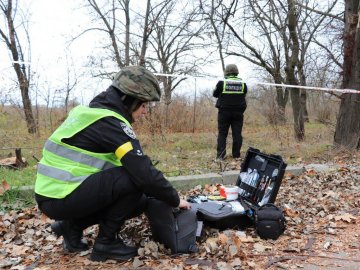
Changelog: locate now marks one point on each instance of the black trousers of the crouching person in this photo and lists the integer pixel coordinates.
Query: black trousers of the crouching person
(107, 198)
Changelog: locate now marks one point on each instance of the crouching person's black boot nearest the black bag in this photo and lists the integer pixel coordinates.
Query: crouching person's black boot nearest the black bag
(116, 249)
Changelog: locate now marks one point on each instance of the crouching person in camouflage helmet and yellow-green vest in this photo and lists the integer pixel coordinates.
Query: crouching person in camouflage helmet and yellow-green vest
(93, 170)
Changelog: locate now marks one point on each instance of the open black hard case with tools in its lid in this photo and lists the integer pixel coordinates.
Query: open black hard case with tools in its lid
(259, 182)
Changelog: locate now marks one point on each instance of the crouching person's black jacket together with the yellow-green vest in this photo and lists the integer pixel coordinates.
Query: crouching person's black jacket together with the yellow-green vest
(96, 138)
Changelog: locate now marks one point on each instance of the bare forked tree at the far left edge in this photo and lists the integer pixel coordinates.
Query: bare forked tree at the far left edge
(9, 34)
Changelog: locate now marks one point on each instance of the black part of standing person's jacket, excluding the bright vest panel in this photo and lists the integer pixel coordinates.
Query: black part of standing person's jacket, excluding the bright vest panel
(233, 102)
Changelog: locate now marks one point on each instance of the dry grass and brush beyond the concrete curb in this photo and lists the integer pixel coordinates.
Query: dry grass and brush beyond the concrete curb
(184, 142)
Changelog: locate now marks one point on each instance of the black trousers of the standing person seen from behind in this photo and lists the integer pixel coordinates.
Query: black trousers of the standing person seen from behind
(227, 119)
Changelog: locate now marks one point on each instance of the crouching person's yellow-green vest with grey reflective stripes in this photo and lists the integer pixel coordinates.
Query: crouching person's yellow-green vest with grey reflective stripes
(64, 167)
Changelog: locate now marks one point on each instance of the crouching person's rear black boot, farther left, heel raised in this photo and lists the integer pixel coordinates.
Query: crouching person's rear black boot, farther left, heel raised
(72, 235)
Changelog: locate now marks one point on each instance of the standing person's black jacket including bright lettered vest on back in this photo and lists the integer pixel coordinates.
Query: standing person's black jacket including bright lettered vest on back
(230, 94)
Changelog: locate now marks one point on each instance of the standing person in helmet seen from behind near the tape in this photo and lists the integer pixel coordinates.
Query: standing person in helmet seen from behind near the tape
(231, 103)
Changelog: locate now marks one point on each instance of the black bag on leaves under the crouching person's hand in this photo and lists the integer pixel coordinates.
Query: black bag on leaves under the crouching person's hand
(176, 229)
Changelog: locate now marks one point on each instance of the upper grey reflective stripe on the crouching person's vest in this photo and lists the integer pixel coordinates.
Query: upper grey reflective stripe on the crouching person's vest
(77, 157)
